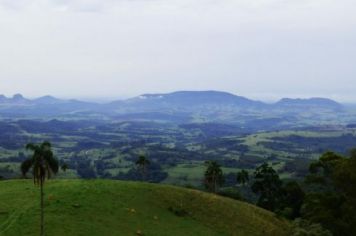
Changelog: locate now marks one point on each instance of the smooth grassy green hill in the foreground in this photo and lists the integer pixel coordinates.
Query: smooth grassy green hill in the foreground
(104, 207)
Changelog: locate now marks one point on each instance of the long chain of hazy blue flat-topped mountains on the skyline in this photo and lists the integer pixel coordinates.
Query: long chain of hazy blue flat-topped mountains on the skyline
(179, 107)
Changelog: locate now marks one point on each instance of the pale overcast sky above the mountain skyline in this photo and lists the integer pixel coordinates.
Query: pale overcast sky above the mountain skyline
(110, 49)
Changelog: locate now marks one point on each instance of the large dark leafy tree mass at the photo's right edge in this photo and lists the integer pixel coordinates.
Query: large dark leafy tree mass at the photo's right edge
(332, 200)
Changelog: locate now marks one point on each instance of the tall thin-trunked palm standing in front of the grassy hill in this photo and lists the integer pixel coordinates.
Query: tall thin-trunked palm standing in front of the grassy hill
(43, 165)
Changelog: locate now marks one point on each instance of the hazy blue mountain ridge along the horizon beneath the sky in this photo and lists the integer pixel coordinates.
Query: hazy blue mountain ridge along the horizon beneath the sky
(169, 105)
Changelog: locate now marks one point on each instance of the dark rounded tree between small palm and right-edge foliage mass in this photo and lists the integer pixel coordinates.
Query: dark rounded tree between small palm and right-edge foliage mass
(269, 186)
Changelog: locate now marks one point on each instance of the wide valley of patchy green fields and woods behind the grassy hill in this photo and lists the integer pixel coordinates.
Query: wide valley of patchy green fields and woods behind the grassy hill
(177, 152)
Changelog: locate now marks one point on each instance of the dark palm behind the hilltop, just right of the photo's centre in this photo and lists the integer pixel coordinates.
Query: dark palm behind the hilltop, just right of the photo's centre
(213, 177)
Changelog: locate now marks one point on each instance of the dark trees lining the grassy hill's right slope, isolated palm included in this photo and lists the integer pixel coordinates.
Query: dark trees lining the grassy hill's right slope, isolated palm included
(324, 202)
